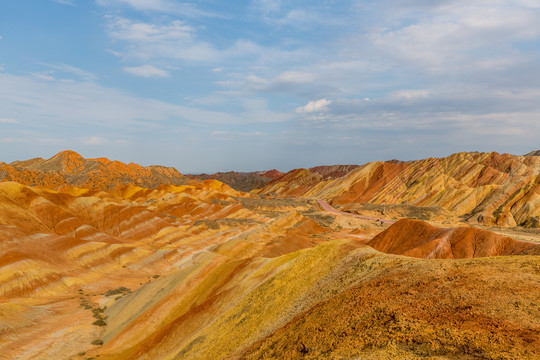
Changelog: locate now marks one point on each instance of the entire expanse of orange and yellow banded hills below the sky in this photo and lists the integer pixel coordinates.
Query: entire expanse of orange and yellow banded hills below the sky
(429, 259)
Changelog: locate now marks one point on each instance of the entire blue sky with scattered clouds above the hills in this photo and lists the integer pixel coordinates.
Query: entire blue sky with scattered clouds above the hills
(250, 85)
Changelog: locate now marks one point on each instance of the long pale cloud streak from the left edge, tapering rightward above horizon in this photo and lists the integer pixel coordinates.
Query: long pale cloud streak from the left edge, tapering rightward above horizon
(87, 103)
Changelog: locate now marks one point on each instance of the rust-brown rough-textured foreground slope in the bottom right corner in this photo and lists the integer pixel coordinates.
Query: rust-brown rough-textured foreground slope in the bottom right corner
(419, 310)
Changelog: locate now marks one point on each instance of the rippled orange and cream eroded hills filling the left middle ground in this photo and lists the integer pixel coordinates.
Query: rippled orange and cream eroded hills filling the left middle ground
(62, 251)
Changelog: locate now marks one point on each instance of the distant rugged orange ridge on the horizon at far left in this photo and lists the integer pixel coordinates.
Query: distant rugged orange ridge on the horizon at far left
(69, 168)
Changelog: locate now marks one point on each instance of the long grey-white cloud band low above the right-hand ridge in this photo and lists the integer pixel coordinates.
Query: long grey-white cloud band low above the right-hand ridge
(473, 111)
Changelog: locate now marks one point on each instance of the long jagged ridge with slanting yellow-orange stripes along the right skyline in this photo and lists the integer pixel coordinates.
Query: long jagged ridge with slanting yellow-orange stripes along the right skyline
(482, 188)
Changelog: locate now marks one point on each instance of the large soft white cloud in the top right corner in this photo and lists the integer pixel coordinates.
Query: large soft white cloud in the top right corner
(453, 36)
